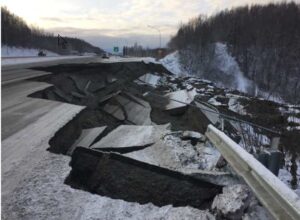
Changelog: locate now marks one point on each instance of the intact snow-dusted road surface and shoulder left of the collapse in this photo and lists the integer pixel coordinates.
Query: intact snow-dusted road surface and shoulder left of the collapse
(33, 178)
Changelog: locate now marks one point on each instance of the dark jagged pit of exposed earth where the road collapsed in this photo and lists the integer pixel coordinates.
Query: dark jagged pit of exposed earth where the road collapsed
(103, 89)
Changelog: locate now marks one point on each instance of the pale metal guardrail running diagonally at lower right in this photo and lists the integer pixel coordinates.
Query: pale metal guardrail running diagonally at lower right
(280, 200)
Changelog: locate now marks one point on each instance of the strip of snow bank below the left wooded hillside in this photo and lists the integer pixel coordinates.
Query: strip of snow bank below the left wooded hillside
(7, 51)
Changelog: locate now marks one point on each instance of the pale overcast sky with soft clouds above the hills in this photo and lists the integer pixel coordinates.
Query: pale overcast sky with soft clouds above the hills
(108, 23)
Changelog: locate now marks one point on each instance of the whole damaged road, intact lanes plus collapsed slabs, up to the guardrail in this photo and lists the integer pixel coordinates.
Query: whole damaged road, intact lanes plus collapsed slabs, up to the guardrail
(115, 149)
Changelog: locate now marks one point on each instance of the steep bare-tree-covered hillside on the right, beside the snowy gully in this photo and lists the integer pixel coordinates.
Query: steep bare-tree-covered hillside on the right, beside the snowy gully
(264, 41)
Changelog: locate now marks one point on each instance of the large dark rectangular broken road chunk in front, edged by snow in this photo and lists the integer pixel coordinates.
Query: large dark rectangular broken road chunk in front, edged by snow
(120, 177)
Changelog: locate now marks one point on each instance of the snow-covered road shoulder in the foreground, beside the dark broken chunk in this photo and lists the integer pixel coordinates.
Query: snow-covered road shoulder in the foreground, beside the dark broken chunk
(42, 194)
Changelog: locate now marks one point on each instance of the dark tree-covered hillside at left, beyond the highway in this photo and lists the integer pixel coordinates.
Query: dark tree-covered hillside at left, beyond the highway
(15, 32)
